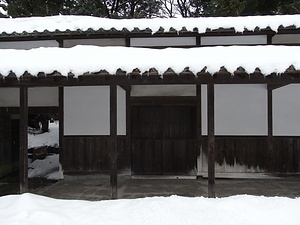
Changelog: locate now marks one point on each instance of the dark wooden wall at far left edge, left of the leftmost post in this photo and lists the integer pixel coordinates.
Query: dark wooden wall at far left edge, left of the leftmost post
(6, 159)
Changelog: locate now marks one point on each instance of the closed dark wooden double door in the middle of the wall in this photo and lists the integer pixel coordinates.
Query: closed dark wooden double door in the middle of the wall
(163, 140)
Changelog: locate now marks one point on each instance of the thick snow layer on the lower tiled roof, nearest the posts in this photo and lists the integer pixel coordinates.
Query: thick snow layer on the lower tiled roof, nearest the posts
(81, 59)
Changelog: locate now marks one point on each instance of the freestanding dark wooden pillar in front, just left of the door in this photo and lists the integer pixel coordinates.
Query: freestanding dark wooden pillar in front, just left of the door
(113, 141)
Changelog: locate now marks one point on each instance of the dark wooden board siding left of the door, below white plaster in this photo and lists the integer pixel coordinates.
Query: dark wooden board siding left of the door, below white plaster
(91, 154)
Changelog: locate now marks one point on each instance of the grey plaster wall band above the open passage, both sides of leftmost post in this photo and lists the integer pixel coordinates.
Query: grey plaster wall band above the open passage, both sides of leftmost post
(41, 96)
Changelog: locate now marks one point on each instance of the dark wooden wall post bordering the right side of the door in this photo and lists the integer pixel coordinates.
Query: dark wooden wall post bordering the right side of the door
(199, 122)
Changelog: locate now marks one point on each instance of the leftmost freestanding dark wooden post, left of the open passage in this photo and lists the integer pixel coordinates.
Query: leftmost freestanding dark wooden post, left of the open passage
(23, 154)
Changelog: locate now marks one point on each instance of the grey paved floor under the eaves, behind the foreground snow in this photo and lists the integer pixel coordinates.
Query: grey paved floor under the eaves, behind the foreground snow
(97, 187)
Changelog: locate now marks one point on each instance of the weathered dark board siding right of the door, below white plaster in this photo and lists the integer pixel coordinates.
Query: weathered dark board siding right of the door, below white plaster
(253, 152)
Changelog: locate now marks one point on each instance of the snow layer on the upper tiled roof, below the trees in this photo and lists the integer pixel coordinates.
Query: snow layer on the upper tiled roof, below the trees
(67, 24)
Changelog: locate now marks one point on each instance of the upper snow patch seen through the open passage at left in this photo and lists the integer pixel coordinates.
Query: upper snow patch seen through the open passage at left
(50, 138)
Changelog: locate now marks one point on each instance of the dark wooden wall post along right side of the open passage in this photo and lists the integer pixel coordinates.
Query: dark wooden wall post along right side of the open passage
(61, 122)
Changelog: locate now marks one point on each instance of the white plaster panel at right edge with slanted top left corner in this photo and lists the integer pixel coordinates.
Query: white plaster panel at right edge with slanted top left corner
(286, 110)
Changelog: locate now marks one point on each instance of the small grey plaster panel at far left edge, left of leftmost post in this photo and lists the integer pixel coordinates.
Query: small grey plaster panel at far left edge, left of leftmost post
(9, 97)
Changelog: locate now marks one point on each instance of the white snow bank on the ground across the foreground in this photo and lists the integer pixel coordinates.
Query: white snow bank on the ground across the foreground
(29, 209)
